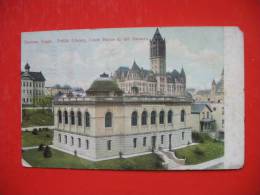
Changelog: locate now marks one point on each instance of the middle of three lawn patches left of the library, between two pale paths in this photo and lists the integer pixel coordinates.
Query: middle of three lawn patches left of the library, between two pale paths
(43, 137)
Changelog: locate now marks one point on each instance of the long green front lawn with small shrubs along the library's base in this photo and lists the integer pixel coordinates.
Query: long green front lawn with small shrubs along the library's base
(63, 160)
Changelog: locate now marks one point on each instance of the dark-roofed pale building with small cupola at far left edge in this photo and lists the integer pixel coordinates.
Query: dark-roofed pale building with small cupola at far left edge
(33, 84)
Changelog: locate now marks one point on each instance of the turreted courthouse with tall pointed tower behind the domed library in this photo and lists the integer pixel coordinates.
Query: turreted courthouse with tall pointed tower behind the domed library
(139, 81)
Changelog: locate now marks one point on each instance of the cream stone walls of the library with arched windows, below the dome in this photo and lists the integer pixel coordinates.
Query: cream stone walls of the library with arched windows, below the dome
(125, 137)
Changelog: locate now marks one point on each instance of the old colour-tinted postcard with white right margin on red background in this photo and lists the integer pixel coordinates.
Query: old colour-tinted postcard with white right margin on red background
(157, 98)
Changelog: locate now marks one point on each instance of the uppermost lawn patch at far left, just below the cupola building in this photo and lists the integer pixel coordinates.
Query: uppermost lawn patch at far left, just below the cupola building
(37, 117)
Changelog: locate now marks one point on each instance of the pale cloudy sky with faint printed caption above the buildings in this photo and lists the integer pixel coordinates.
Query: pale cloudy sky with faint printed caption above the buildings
(77, 57)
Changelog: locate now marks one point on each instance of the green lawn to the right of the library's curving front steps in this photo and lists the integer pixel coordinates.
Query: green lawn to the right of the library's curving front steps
(202, 152)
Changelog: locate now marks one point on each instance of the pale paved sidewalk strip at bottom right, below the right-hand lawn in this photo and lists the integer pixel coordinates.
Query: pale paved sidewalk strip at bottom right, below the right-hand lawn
(201, 166)
